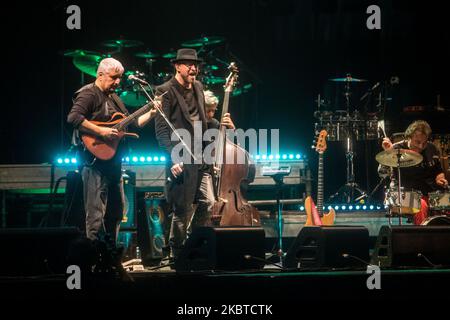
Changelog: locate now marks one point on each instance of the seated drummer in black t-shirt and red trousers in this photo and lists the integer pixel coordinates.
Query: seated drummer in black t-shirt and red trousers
(427, 176)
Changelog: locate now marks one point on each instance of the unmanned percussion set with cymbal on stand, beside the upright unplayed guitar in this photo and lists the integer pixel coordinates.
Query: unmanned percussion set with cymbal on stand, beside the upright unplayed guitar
(348, 126)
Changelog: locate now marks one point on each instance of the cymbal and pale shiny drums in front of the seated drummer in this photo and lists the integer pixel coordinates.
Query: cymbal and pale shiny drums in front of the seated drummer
(408, 202)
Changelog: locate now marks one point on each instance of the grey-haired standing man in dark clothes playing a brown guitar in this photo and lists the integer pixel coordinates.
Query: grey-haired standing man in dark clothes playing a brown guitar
(102, 179)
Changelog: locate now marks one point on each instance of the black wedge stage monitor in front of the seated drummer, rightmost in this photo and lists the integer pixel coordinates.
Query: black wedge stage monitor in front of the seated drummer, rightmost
(412, 246)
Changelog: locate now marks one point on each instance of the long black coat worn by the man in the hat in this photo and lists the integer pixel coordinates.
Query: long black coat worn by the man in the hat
(180, 192)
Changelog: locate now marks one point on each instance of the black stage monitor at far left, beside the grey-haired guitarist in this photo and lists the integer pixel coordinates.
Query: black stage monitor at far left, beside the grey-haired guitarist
(27, 252)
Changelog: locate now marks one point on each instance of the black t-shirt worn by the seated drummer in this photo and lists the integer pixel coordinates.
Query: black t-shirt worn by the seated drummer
(422, 176)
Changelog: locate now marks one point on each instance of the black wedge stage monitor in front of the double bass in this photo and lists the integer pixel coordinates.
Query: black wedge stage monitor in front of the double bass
(224, 248)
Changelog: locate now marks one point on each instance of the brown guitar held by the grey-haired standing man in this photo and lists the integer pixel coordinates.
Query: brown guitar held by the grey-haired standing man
(106, 149)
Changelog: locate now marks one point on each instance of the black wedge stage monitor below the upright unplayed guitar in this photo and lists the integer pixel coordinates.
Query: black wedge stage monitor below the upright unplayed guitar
(329, 247)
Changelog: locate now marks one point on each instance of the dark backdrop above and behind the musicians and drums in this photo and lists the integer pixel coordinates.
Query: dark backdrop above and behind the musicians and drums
(286, 49)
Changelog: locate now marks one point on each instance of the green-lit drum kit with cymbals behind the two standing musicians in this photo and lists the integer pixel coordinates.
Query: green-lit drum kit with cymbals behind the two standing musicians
(153, 67)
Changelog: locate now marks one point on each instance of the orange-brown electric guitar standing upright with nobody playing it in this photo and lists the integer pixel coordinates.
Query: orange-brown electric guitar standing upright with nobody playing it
(315, 215)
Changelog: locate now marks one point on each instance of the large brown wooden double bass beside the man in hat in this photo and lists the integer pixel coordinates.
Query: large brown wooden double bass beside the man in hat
(232, 166)
